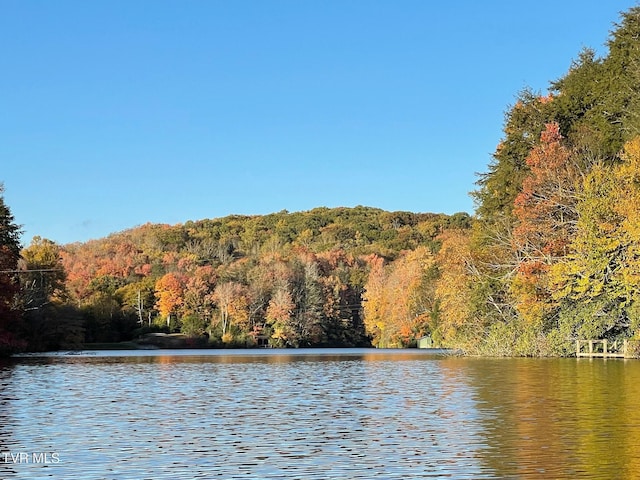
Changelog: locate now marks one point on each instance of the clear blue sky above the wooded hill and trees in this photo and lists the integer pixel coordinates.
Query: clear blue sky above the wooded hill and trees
(116, 113)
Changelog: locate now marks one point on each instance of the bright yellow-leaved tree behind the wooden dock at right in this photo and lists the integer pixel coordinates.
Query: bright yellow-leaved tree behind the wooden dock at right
(598, 284)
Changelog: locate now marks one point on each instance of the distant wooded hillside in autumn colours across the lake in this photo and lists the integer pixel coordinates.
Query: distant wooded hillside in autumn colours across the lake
(286, 279)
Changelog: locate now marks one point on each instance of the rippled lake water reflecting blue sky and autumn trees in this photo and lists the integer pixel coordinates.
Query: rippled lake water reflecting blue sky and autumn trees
(316, 414)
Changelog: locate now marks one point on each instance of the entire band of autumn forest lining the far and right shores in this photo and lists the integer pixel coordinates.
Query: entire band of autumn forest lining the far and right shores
(551, 254)
